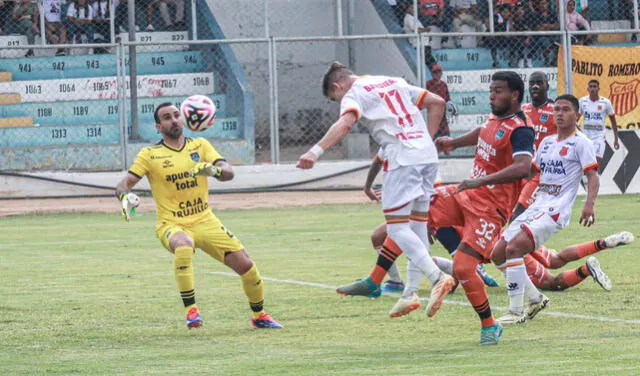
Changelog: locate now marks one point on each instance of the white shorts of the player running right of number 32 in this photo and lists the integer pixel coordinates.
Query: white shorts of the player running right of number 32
(537, 223)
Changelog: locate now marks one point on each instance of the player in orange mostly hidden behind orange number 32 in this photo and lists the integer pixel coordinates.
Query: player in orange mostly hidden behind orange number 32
(540, 111)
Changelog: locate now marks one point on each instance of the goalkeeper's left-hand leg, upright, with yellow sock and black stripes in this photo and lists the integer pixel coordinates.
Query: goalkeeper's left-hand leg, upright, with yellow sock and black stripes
(177, 241)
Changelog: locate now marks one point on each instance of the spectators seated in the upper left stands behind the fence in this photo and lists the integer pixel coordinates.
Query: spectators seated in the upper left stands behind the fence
(67, 21)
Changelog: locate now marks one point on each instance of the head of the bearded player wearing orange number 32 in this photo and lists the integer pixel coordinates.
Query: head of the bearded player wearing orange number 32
(506, 92)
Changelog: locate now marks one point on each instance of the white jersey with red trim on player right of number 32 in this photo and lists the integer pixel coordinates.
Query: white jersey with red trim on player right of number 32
(561, 165)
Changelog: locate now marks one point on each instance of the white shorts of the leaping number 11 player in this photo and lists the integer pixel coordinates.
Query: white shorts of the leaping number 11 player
(403, 185)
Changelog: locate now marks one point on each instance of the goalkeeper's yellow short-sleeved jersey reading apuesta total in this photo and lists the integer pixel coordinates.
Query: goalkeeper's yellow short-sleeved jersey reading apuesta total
(179, 198)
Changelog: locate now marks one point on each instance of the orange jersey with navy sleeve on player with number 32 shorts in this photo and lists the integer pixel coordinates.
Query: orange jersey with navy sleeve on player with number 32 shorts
(500, 140)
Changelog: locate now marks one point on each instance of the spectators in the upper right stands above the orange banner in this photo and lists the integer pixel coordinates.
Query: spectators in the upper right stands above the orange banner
(508, 16)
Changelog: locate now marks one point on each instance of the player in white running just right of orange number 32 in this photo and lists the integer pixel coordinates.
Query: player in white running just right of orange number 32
(561, 160)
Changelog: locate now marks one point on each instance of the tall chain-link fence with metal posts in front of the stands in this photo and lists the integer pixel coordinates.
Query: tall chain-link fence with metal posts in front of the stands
(66, 82)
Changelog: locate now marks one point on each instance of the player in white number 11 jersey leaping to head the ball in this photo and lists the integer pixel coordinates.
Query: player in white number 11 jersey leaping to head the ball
(390, 108)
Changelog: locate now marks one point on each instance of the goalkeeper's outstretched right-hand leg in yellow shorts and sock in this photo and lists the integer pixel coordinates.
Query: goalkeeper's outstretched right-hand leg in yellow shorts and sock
(218, 242)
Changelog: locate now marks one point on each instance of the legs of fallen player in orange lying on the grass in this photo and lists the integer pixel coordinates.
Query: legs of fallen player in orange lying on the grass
(542, 259)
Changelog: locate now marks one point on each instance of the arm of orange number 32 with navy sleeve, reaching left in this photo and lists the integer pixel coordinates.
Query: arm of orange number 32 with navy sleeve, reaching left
(522, 147)
